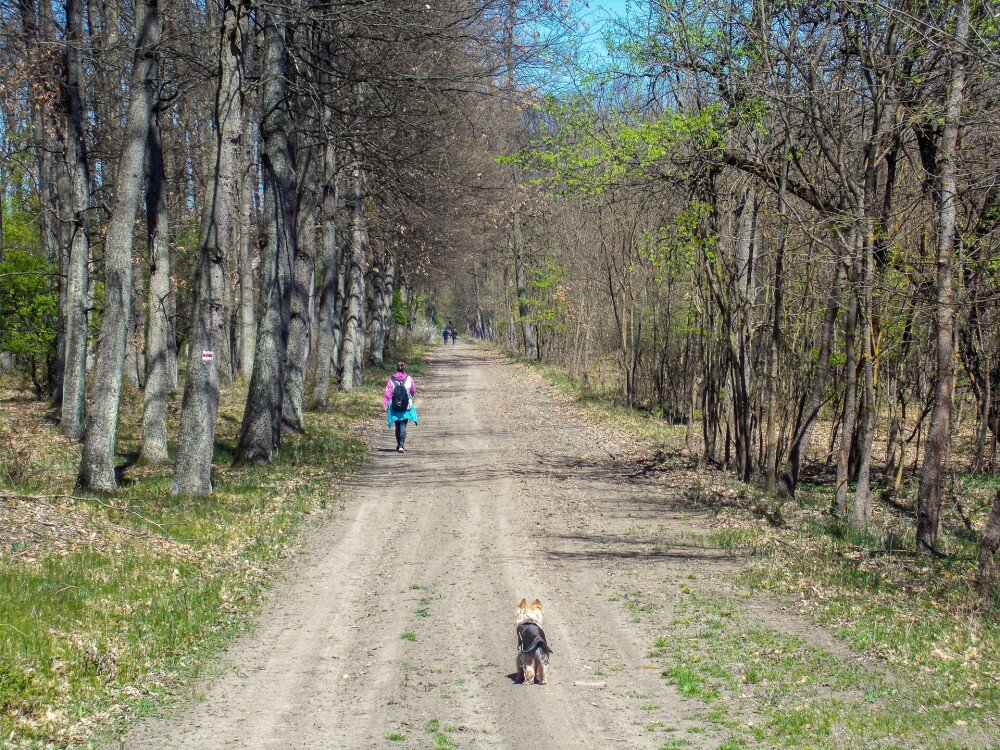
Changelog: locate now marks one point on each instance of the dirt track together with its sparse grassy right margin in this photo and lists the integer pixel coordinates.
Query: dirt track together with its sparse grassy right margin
(395, 626)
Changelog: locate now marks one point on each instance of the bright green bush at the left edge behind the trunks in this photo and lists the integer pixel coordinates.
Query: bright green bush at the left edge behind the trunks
(29, 305)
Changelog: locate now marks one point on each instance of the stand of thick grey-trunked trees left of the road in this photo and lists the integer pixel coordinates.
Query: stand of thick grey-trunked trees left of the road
(228, 191)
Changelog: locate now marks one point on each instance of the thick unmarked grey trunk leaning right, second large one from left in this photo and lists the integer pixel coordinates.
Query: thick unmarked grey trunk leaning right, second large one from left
(97, 466)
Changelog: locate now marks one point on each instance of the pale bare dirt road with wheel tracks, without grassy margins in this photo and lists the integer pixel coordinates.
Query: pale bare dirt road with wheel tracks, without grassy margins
(396, 629)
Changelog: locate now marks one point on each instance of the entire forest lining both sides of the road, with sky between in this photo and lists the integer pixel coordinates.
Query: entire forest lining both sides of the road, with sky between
(772, 227)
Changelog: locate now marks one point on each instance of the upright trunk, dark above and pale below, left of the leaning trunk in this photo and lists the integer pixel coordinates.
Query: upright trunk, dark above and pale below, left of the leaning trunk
(76, 189)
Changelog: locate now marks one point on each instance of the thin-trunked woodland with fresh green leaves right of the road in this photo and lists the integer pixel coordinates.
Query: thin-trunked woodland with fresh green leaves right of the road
(776, 225)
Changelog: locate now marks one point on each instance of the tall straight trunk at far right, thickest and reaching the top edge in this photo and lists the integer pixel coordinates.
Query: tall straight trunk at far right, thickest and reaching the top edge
(936, 450)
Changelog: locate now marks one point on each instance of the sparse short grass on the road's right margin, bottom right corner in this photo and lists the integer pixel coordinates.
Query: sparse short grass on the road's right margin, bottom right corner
(762, 687)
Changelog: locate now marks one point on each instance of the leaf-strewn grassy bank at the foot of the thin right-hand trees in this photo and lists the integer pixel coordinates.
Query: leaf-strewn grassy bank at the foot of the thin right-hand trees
(913, 614)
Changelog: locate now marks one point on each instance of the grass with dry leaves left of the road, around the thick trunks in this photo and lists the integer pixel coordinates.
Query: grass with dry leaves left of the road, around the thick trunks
(109, 606)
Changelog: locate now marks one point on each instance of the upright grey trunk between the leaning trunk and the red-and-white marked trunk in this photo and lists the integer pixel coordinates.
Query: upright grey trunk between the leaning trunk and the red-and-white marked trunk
(154, 416)
